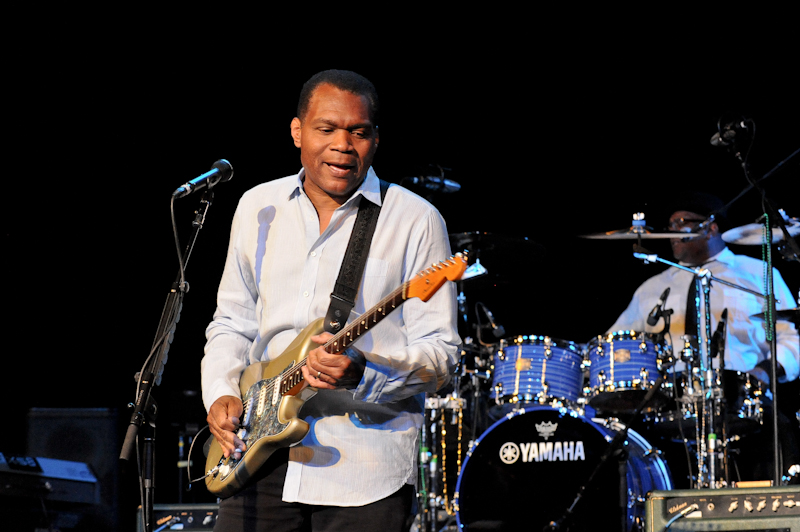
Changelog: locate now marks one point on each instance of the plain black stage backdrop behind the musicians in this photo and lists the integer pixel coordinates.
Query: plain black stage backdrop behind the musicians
(551, 136)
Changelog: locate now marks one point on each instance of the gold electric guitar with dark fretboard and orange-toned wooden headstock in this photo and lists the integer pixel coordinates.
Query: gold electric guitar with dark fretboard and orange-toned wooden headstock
(273, 392)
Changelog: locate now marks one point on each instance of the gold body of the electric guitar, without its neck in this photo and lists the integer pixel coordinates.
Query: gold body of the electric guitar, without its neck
(270, 425)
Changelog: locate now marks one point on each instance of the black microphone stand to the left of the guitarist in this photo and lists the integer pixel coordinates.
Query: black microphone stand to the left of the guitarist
(144, 408)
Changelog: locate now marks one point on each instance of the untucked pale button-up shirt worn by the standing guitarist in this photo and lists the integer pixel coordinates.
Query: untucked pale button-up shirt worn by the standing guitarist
(278, 277)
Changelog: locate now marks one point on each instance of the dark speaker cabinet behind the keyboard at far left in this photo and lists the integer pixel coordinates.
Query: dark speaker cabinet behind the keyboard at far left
(87, 435)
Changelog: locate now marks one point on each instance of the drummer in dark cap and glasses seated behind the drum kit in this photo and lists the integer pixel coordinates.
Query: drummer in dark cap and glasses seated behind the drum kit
(746, 347)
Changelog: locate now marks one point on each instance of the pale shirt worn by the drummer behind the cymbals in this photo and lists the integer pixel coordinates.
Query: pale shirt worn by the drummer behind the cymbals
(745, 342)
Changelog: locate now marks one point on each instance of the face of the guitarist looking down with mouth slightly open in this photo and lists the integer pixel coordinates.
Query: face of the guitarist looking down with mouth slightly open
(337, 142)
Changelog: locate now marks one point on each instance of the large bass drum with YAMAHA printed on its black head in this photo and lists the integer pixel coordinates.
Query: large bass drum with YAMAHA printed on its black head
(528, 468)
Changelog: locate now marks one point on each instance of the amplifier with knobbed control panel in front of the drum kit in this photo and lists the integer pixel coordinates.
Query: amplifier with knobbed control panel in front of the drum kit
(728, 509)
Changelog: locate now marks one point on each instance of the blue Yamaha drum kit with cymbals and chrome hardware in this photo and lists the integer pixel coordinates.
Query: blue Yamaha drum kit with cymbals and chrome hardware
(537, 429)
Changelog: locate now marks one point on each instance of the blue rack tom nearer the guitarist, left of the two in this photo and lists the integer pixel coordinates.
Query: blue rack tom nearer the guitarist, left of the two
(537, 368)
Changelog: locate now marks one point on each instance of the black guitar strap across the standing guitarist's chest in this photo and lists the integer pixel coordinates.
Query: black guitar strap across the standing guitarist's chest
(355, 258)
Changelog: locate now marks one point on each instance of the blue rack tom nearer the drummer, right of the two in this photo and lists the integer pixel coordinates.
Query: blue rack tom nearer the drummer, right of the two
(624, 365)
